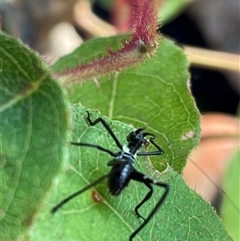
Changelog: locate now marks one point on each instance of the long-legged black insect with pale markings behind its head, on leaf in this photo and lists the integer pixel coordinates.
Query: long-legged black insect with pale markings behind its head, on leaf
(123, 169)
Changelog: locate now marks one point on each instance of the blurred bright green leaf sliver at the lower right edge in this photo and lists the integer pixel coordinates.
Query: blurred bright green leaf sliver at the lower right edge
(230, 213)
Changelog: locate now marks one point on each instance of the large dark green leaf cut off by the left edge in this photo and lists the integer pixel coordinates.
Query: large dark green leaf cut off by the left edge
(34, 122)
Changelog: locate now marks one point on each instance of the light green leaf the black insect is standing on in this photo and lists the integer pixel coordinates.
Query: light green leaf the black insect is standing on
(183, 216)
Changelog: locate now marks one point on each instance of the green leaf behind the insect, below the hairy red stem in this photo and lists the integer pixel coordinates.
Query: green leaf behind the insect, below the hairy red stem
(154, 94)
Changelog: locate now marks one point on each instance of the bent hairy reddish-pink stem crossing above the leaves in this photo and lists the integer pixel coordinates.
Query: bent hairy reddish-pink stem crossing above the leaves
(142, 42)
